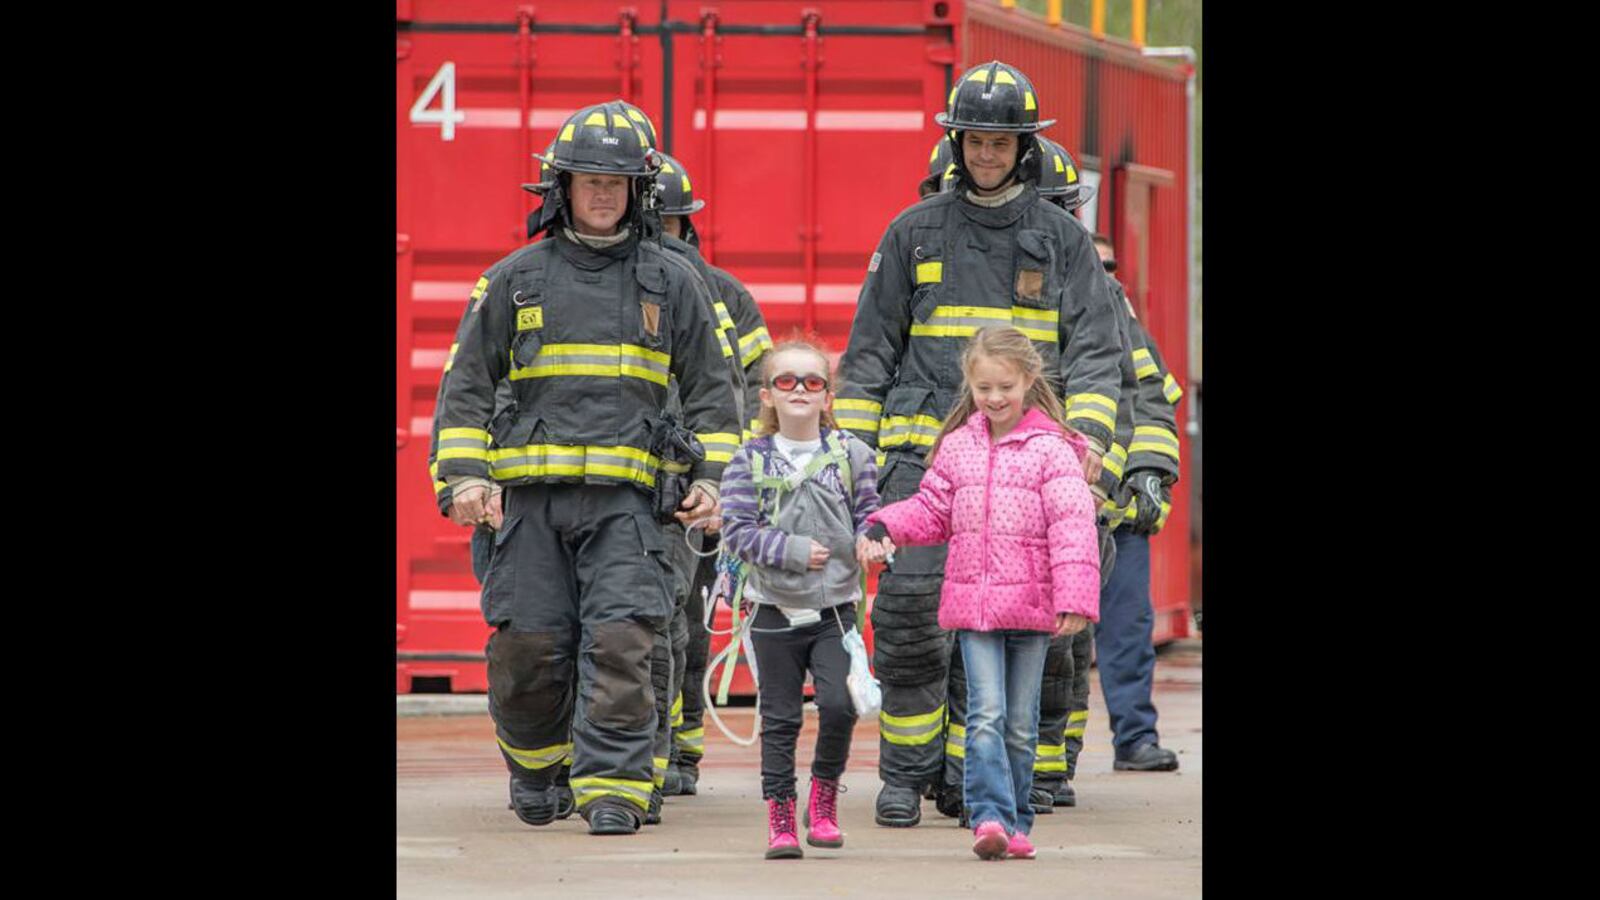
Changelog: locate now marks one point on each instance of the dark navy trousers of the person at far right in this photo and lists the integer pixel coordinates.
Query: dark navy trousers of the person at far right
(1122, 645)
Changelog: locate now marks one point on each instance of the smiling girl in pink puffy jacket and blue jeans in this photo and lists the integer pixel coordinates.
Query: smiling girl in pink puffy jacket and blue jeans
(1006, 489)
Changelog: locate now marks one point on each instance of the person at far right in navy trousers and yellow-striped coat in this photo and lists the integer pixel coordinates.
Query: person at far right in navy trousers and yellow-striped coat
(1122, 643)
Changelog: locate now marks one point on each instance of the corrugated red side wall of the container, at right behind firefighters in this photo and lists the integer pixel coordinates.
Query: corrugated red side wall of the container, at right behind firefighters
(1124, 116)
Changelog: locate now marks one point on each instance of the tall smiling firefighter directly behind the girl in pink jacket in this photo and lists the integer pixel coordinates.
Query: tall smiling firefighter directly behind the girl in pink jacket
(985, 252)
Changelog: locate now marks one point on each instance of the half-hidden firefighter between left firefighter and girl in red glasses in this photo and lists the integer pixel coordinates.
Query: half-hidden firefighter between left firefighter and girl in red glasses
(746, 331)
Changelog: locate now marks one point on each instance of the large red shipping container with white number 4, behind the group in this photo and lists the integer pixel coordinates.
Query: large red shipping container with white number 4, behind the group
(806, 129)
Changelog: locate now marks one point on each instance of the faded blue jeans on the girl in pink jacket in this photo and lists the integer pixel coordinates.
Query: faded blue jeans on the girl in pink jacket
(1004, 672)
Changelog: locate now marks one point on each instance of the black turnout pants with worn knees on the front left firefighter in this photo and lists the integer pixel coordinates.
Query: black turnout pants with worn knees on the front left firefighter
(577, 590)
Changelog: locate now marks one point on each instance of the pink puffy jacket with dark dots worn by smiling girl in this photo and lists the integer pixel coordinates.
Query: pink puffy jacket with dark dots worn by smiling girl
(1020, 523)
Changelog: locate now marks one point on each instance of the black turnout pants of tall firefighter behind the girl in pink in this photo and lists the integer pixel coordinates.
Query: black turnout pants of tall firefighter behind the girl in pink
(911, 654)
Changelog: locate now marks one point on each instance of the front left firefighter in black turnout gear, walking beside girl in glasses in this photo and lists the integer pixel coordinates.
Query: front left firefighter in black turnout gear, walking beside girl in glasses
(588, 327)
